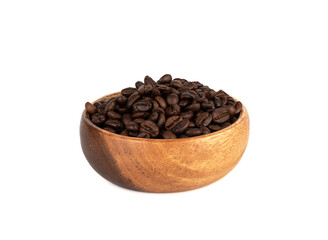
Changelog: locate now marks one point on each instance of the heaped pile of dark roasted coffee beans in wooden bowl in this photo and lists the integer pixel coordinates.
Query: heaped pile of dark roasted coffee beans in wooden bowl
(167, 108)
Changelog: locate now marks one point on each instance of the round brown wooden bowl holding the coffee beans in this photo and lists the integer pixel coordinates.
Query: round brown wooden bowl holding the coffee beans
(164, 165)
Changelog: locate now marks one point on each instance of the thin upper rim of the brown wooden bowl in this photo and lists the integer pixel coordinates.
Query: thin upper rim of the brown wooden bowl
(87, 120)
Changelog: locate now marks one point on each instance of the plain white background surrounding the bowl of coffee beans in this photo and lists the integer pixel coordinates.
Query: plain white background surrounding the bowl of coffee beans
(56, 55)
